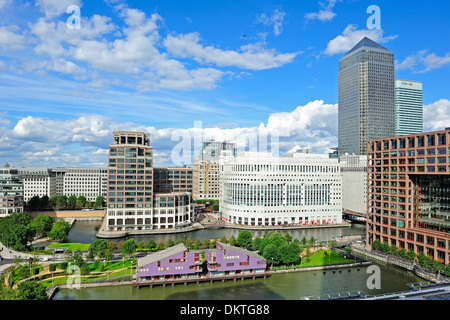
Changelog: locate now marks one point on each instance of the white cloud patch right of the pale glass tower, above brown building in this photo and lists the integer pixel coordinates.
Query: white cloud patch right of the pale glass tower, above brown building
(436, 116)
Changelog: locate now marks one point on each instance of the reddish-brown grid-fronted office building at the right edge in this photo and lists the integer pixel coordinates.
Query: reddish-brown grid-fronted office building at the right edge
(408, 193)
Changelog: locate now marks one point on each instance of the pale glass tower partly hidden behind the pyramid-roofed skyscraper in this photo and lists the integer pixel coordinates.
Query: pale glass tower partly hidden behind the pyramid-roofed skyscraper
(408, 107)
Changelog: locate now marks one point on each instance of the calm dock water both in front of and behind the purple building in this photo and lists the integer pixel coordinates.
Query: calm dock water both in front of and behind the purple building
(285, 286)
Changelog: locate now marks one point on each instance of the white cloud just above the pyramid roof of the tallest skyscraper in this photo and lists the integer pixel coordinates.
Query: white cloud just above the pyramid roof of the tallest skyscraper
(351, 36)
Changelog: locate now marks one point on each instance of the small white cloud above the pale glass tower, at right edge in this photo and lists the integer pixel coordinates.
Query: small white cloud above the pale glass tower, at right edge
(423, 62)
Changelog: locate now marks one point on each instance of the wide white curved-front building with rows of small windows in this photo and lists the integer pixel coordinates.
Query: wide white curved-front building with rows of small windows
(300, 189)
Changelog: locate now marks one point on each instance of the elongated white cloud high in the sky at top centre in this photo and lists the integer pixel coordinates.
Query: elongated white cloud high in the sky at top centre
(252, 56)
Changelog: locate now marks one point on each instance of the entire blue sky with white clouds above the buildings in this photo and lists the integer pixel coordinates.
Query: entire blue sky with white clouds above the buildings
(73, 71)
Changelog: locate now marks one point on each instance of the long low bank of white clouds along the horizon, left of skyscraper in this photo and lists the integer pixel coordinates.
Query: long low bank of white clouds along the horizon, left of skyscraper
(86, 138)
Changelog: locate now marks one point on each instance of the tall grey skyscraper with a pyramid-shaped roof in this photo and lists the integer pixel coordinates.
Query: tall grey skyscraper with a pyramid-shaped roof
(366, 96)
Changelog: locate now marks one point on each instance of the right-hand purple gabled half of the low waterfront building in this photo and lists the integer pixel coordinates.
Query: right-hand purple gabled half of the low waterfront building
(227, 260)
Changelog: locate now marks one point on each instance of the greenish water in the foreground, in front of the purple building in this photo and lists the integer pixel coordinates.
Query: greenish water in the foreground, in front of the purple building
(284, 286)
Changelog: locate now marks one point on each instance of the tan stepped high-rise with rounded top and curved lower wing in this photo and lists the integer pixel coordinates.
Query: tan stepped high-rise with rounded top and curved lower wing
(141, 197)
